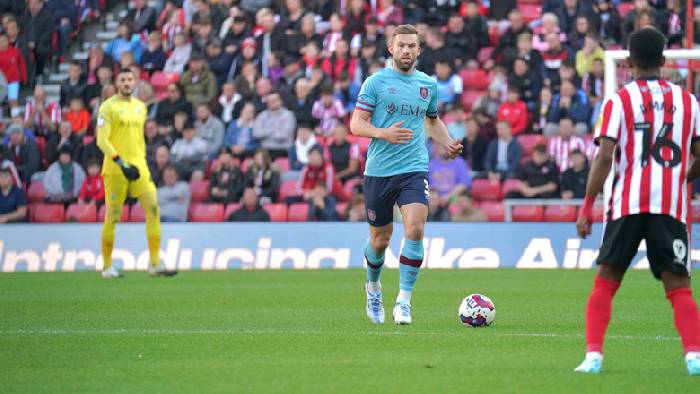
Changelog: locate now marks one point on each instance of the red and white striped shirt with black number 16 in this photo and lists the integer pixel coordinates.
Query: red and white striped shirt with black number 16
(654, 123)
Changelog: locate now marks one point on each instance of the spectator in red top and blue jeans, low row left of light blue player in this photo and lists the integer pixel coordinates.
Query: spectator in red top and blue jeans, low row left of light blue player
(316, 184)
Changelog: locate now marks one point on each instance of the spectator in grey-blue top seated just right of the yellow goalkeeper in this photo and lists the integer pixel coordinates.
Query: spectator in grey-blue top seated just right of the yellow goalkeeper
(173, 197)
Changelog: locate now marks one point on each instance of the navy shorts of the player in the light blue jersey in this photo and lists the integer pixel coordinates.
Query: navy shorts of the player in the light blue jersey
(381, 193)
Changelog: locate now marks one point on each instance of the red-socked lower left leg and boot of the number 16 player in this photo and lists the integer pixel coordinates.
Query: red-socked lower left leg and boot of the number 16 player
(598, 313)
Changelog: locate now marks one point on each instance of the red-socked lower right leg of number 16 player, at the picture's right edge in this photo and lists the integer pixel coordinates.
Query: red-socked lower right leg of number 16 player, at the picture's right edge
(686, 318)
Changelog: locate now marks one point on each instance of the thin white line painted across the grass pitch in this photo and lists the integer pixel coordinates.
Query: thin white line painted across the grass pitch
(174, 331)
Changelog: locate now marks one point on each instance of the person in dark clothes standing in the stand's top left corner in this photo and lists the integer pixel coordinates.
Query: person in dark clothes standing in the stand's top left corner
(38, 25)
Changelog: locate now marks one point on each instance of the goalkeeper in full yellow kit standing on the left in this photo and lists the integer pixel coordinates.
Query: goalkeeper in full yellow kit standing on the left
(120, 137)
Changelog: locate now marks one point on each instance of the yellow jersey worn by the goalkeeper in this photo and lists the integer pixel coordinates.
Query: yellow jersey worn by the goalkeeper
(120, 126)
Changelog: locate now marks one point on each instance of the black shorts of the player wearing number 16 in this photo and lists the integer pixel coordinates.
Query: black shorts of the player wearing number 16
(666, 239)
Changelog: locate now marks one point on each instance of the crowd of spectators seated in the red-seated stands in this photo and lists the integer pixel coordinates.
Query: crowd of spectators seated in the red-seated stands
(249, 101)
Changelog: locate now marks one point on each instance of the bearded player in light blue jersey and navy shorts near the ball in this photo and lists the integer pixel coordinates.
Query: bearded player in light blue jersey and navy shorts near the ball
(397, 108)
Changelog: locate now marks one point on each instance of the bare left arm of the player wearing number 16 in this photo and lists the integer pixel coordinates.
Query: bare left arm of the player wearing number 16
(596, 179)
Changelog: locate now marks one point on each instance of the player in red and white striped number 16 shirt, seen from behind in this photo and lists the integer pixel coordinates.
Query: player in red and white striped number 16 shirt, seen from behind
(649, 128)
